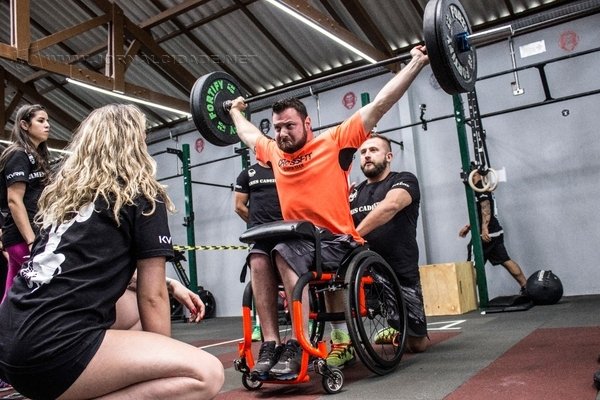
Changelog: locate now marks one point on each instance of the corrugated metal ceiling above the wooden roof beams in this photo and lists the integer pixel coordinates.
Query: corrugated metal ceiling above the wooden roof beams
(261, 46)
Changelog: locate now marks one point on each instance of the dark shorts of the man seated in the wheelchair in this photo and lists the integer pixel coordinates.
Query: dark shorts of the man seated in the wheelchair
(300, 253)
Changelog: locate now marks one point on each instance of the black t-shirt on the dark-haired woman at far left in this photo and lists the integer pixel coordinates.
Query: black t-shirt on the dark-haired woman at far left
(20, 167)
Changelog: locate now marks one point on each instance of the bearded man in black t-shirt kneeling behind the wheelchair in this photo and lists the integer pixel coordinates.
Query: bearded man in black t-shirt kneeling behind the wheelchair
(385, 210)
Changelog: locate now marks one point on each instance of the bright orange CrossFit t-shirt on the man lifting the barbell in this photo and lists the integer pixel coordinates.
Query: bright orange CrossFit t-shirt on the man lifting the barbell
(312, 183)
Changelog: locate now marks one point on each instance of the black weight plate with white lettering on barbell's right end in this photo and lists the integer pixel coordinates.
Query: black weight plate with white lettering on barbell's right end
(455, 70)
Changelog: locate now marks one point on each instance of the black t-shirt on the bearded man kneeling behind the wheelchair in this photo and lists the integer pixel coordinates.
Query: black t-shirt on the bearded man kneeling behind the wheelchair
(395, 241)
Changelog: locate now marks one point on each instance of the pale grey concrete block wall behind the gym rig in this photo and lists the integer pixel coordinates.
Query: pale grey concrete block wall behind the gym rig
(547, 204)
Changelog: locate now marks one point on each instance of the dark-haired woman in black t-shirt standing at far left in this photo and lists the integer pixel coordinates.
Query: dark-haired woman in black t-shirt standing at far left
(25, 167)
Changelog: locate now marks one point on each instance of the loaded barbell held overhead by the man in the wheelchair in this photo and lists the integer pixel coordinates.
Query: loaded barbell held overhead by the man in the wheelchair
(450, 45)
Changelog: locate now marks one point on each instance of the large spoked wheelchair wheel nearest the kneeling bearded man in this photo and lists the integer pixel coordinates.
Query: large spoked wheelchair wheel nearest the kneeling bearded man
(374, 303)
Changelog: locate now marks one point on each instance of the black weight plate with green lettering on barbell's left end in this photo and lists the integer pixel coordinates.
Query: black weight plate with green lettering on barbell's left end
(206, 101)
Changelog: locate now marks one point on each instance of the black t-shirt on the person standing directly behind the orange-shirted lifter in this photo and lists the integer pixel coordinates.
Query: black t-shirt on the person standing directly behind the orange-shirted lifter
(263, 204)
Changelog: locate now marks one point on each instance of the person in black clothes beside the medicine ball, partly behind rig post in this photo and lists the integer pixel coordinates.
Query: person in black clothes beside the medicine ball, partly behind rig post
(492, 236)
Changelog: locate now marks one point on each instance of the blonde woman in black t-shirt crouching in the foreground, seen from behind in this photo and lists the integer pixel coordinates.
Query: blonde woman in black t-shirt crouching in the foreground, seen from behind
(103, 216)
